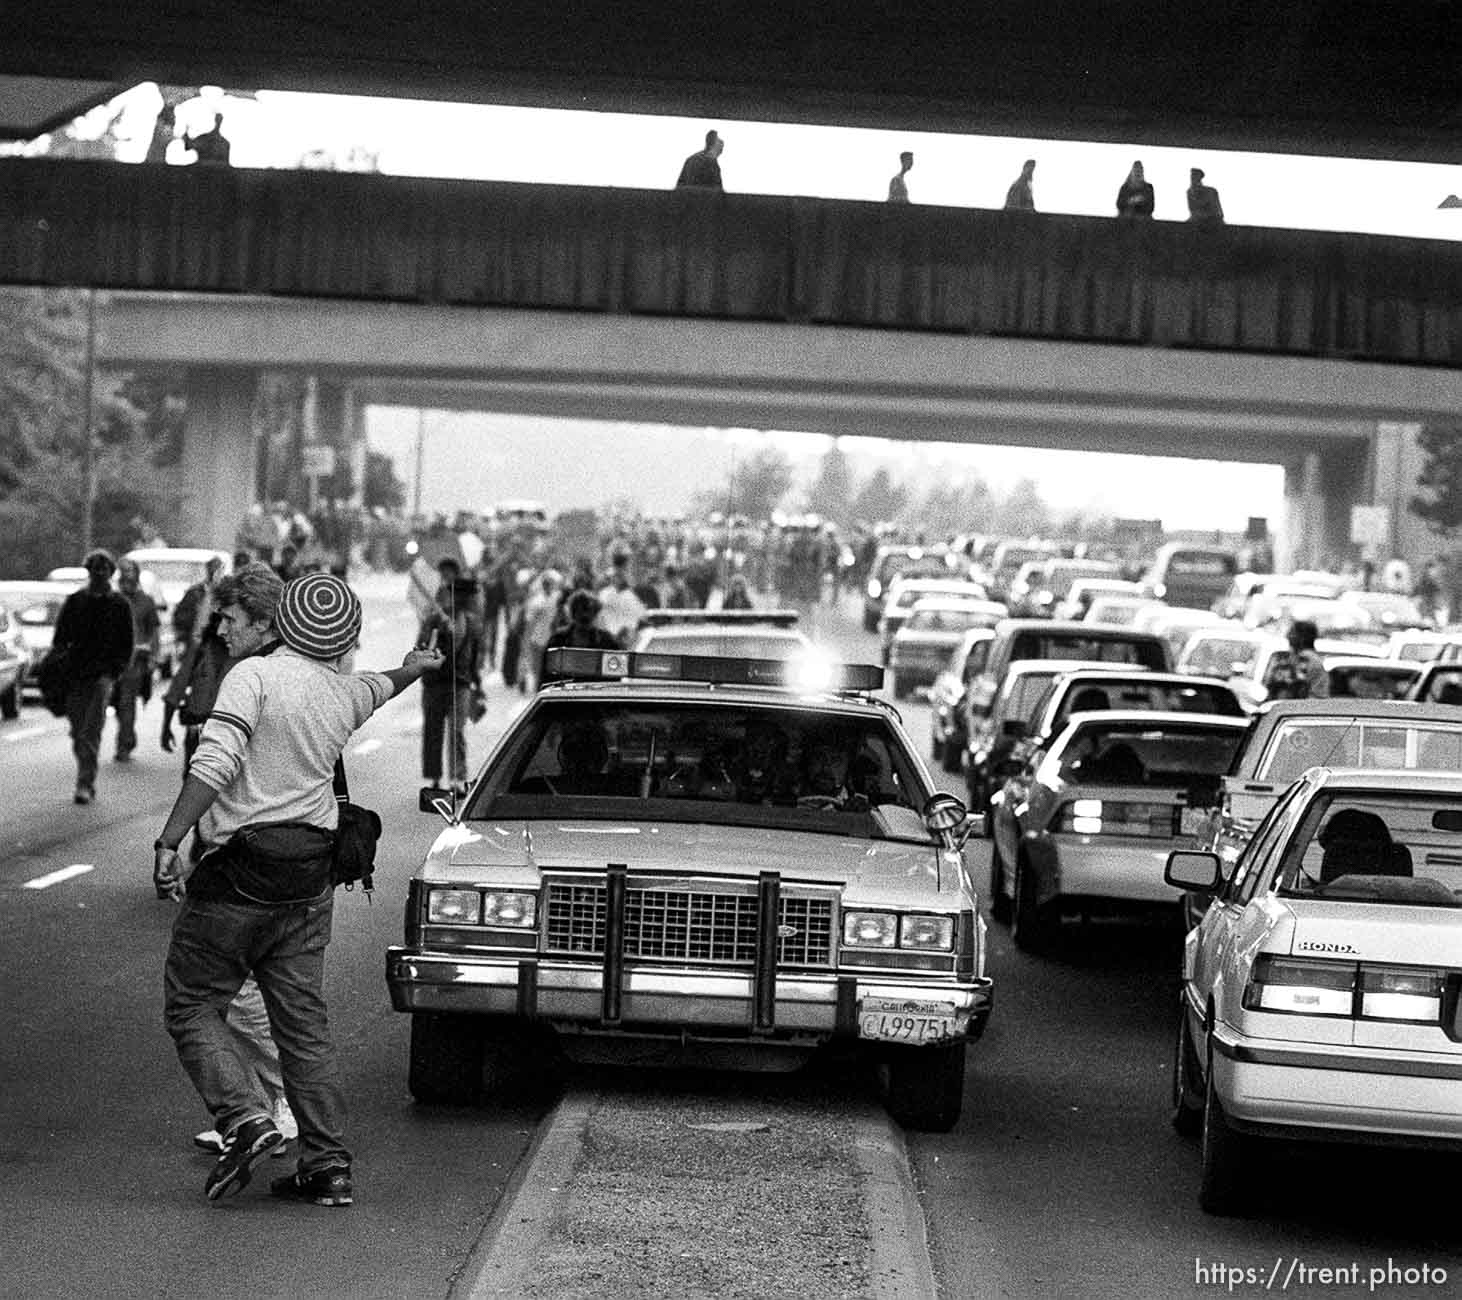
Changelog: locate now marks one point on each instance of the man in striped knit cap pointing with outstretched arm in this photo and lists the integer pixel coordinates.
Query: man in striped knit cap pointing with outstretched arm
(261, 801)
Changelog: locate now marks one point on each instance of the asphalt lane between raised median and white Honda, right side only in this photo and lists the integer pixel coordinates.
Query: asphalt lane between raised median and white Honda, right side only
(1064, 1176)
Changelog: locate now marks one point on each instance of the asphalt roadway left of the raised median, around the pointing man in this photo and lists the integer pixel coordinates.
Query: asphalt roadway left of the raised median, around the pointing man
(100, 1185)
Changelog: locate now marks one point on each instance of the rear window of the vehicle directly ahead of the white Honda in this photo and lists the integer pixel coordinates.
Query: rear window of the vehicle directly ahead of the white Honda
(1359, 744)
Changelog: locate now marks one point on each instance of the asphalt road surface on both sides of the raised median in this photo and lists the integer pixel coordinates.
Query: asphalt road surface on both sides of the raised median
(1062, 1178)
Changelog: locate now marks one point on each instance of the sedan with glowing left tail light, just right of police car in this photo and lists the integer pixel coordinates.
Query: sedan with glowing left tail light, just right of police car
(1088, 824)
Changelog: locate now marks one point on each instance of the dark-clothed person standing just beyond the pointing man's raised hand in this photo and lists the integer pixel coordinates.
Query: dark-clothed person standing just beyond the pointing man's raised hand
(455, 630)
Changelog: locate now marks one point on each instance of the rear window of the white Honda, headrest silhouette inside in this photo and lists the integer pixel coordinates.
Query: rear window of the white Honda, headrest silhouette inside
(1378, 849)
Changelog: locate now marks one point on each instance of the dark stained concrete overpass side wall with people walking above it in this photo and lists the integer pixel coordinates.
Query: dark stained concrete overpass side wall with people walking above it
(730, 257)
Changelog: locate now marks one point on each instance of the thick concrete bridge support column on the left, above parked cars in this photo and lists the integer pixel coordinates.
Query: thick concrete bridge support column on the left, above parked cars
(219, 456)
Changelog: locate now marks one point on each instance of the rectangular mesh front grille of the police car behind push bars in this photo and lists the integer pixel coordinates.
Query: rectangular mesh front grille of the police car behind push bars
(682, 925)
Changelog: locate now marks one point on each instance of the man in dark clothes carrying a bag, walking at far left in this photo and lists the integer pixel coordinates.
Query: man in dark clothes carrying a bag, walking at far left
(93, 644)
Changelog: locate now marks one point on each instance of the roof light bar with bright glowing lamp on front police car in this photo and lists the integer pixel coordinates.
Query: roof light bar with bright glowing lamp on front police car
(805, 673)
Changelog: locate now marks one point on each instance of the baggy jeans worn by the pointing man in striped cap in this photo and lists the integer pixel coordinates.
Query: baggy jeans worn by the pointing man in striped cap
(216, 947)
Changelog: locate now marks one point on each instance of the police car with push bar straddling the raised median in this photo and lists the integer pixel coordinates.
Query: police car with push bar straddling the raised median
(707, 861)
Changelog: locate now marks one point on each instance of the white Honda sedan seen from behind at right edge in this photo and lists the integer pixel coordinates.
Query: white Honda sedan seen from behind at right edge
(1321, 989)
